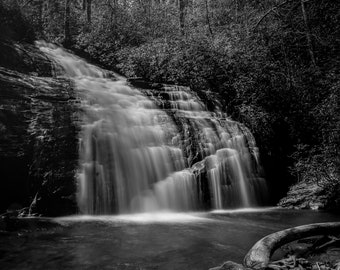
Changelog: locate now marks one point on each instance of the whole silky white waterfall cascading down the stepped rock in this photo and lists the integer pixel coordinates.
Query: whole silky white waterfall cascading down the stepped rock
(151, 150)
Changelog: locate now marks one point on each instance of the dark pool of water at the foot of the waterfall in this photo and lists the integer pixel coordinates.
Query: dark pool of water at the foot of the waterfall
(147, 241)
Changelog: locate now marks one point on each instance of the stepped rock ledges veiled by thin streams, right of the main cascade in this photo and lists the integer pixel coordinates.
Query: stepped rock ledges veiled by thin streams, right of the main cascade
(200, 134)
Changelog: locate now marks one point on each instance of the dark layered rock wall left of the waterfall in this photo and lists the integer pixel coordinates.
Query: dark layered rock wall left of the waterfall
(38, 134)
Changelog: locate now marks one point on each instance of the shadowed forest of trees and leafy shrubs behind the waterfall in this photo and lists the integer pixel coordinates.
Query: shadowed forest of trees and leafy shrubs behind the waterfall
(272, 65)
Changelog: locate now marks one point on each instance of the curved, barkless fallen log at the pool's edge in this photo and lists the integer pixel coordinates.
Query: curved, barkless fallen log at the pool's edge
(259, 255)
